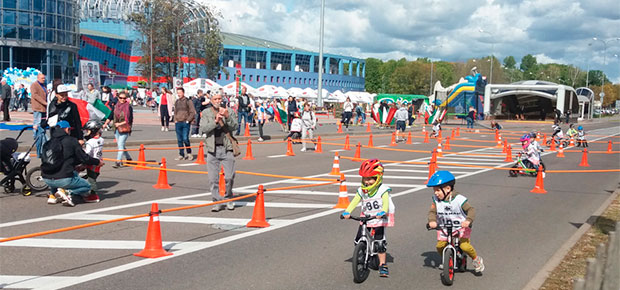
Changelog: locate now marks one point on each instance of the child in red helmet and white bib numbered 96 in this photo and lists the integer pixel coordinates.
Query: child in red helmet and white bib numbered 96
(376, 201)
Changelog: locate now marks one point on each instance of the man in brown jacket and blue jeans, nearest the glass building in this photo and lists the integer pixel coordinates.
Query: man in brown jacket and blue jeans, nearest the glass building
(38, 102)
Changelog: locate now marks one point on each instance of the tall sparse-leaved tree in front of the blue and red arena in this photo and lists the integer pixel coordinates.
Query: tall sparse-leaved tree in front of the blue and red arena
(173, 32)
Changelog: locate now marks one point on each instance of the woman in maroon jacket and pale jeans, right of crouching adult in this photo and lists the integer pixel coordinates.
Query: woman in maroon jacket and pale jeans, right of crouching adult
(123, 122)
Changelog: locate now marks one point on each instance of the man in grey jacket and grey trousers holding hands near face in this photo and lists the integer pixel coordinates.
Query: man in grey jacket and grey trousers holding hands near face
(217, 122)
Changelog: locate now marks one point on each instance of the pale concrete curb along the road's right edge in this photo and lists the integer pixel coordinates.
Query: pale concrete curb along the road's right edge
(539, 279)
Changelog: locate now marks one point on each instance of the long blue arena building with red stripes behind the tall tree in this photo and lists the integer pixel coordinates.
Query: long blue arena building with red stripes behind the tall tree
(108, 37)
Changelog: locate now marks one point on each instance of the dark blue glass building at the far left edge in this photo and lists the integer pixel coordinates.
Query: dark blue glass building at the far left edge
(41, 34)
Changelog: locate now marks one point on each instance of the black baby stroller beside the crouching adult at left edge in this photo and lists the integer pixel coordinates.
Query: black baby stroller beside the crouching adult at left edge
(13, 166)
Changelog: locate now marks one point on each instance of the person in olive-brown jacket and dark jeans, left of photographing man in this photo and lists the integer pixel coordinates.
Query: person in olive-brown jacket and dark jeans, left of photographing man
(184, 115)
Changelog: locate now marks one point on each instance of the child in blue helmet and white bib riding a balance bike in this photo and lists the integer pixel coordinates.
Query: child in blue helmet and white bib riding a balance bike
(448, 204)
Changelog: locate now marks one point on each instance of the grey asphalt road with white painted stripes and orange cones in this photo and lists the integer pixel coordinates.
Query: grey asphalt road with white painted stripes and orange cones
(306, 246)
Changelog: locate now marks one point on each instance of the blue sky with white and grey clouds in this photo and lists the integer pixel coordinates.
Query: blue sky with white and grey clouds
(555, 31)
